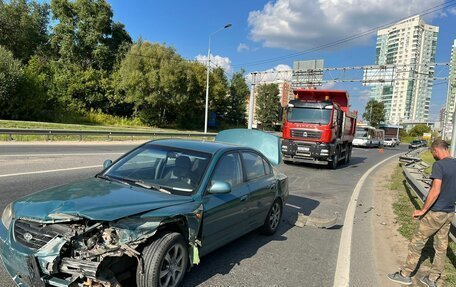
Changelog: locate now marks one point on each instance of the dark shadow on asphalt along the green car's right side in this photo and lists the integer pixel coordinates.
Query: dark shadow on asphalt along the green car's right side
(224, 259)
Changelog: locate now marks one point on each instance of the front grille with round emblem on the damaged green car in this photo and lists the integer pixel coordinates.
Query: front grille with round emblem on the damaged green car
(32, 234)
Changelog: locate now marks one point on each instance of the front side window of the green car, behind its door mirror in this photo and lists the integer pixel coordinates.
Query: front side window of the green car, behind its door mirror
(228, 169)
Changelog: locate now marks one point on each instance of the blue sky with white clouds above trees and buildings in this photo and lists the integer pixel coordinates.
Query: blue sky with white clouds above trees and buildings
(263, 30)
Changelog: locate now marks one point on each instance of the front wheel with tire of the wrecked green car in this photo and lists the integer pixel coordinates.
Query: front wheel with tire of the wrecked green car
(165, 262)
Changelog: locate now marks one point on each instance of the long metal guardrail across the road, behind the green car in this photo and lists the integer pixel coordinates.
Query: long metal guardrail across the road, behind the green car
(49, 133)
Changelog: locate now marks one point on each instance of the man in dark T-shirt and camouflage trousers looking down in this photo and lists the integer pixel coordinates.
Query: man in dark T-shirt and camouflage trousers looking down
(435, 218)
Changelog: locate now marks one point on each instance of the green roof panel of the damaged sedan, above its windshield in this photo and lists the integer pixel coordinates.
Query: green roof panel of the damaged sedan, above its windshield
(199, 146)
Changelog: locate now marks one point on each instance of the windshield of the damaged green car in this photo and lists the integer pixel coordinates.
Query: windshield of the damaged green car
(160, 168)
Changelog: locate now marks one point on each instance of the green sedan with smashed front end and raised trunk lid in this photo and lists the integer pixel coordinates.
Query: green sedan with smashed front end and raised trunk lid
(148, 217)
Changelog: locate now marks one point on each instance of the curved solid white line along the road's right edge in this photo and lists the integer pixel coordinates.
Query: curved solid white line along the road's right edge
(342, 275)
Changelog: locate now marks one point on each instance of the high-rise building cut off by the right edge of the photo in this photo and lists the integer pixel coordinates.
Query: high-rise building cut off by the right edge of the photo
(450, 106)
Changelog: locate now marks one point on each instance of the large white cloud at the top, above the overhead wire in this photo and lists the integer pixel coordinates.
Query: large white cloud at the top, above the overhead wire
(302, 24)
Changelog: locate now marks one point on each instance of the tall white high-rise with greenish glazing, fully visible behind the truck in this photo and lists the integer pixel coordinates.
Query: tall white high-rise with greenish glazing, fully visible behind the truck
(409, 45)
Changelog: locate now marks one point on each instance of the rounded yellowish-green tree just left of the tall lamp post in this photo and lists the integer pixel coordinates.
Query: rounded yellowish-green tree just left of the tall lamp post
(153, 77)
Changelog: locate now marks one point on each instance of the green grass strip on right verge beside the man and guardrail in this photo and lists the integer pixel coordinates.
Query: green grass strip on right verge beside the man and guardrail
(404, 204)
